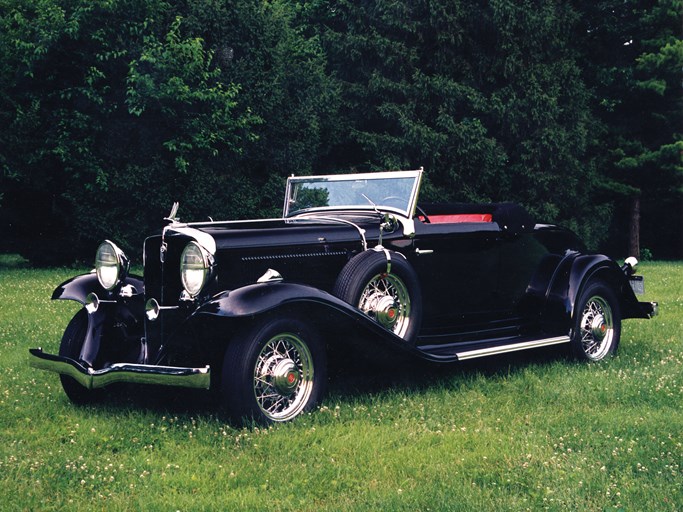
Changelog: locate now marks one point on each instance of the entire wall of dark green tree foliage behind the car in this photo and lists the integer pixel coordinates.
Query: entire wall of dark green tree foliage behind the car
(113, 109)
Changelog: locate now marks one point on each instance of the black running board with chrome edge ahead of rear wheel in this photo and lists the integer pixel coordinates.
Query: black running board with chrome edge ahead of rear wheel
(464, 351)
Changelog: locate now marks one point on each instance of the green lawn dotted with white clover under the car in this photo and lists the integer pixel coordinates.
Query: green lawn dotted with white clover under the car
(531, 431)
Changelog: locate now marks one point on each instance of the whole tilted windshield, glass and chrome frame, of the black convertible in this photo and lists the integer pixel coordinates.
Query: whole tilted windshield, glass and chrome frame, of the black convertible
(385, 191)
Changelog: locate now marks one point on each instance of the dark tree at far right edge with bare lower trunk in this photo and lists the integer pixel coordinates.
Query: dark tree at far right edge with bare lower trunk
(633, 60)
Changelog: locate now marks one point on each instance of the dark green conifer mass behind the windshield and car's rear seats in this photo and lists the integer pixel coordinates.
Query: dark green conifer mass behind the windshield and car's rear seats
(487, 96)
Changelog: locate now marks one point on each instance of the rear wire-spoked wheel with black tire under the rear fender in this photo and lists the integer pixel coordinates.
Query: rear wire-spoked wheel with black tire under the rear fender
(597, 323)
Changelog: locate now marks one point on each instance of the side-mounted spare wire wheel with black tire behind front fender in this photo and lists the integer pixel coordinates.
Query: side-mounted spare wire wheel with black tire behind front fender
(391, 298)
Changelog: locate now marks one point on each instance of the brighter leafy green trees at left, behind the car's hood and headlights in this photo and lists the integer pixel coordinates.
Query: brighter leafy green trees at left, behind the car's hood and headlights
(117, 108)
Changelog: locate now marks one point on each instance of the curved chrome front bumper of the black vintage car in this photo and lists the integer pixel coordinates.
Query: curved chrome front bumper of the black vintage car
(121, 372)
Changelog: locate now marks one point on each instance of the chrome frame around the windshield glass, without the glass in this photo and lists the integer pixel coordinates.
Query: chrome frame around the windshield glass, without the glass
(408, 212)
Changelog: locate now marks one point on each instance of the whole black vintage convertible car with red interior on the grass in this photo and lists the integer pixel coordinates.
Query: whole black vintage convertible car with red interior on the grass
(250, 309)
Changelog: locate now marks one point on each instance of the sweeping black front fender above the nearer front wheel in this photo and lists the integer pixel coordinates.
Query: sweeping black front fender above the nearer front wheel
(330, 314)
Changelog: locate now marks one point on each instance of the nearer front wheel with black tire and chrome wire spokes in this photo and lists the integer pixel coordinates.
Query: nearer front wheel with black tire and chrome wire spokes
(273, 371)
